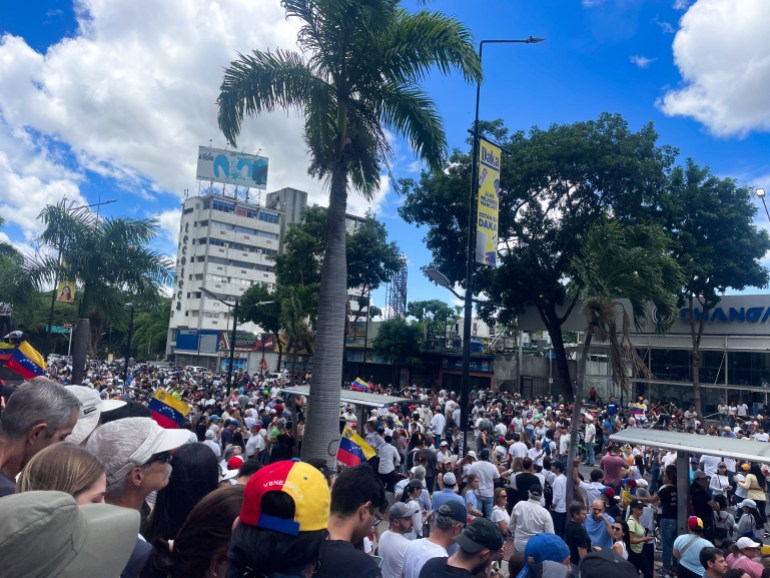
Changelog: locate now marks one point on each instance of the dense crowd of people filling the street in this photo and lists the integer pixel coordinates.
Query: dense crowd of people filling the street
(226, 495)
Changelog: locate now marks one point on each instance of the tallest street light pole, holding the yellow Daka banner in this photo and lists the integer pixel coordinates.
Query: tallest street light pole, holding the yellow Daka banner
(465, 385)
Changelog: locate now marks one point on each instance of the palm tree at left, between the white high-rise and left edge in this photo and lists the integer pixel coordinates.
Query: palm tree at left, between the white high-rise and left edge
(108, 259)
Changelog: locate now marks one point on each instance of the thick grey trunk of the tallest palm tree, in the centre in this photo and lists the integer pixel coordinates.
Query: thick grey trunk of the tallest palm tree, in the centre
(322, 429)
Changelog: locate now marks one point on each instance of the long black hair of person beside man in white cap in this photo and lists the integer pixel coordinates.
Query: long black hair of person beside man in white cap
(195, 473)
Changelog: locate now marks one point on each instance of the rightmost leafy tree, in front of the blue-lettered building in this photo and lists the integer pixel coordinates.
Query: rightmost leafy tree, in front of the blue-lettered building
(716, 244)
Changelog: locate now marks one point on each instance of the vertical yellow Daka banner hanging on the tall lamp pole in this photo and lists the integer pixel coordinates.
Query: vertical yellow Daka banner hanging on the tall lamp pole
(487, 209)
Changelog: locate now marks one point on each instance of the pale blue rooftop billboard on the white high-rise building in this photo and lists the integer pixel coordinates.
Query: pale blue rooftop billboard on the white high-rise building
(231, 167)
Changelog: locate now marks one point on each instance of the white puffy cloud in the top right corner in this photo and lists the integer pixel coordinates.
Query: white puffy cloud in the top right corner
(725, 74)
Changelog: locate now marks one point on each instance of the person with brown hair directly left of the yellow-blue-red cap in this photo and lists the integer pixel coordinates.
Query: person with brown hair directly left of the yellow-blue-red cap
(200, 548)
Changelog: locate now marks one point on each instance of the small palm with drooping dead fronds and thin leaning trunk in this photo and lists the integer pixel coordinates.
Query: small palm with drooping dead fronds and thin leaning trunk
(617, 261)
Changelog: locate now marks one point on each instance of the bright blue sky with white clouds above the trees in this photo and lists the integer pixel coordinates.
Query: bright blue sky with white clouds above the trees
(110, 98)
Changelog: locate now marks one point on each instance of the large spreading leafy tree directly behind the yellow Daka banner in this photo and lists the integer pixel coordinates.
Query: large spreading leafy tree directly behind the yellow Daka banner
(555, 184)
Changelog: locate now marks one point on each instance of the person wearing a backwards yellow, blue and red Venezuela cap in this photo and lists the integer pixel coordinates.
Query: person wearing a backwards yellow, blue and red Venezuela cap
(282, 523)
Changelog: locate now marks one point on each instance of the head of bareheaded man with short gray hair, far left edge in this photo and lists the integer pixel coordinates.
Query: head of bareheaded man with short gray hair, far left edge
(40, 413)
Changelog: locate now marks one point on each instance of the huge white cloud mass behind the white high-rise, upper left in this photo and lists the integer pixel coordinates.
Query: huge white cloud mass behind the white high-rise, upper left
(130, 97)
